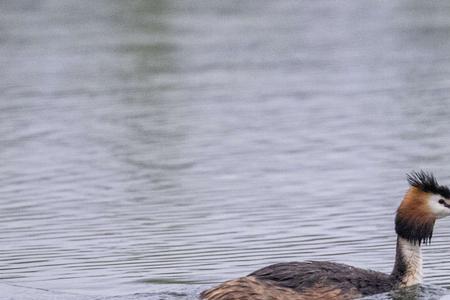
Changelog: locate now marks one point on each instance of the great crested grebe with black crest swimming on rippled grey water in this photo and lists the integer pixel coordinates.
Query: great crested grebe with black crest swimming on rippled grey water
(424, 202)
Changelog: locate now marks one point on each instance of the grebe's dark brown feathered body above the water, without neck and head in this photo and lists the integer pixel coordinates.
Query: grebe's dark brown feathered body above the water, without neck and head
(303, 280)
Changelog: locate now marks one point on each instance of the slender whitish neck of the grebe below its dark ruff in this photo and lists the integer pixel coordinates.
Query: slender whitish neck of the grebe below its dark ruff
(408, 263)
